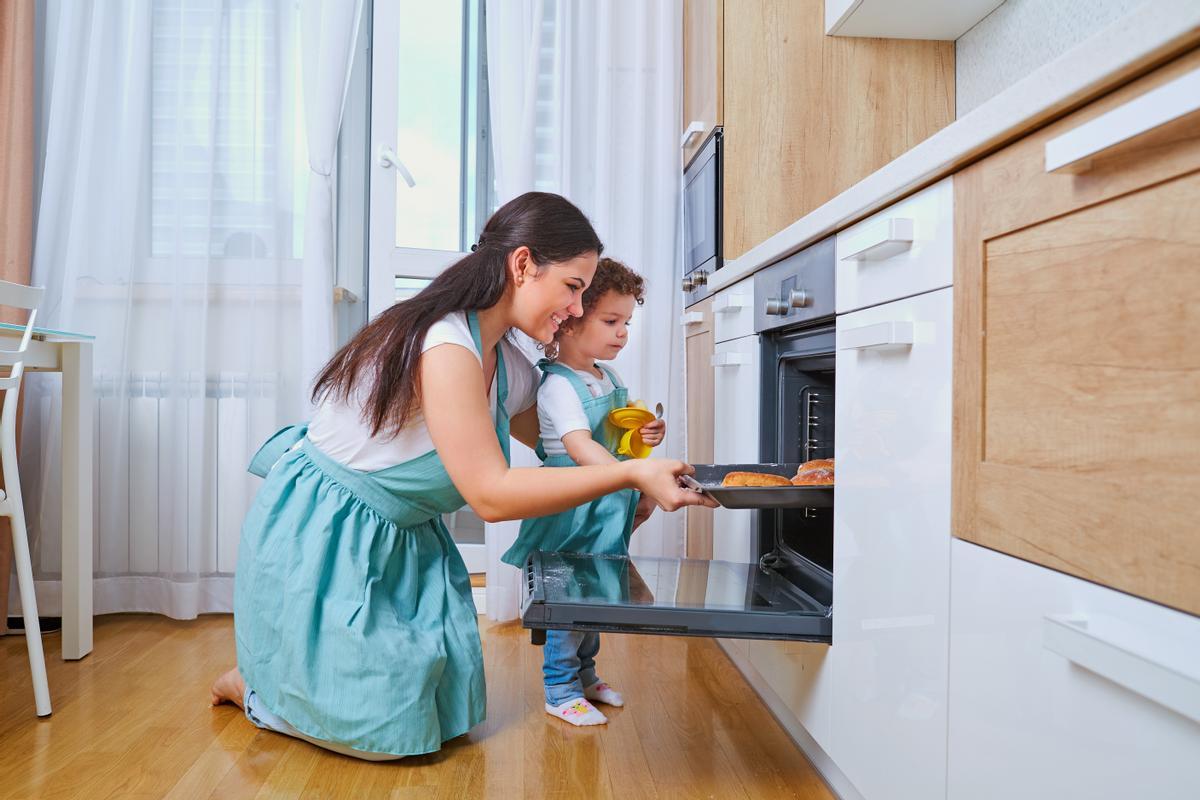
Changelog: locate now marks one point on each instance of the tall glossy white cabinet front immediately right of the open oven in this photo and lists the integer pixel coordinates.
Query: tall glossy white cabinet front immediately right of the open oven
(892, 540)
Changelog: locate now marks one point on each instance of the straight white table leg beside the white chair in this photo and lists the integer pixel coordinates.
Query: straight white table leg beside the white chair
(77, 443)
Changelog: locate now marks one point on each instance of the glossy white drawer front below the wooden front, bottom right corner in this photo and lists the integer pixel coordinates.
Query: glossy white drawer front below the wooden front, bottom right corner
(1028, 721)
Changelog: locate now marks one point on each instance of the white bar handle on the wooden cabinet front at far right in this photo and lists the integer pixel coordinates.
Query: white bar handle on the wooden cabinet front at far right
(1073, 152)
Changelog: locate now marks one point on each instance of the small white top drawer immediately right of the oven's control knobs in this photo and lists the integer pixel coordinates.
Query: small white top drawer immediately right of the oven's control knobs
(902, 251)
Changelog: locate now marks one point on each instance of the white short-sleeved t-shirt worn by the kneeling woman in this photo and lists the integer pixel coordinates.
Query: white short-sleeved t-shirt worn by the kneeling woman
(339, 430)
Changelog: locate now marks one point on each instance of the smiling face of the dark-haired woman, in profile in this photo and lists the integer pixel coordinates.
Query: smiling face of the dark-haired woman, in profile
(544, 298)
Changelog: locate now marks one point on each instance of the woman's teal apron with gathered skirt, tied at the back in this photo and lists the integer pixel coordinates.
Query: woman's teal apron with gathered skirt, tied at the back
(352, 606)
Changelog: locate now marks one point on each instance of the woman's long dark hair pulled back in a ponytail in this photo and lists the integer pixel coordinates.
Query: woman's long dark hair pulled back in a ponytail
(386, 353)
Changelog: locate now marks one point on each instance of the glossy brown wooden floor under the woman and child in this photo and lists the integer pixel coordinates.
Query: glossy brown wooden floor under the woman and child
(133, 720)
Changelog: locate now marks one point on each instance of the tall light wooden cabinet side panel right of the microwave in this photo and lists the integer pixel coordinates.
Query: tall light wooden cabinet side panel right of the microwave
(809, 116)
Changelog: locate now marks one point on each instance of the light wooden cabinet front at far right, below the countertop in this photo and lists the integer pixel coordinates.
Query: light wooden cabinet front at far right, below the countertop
(1077, 441)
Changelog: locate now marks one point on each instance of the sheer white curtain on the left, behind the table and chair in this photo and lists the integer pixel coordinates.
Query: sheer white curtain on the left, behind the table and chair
(181, 143)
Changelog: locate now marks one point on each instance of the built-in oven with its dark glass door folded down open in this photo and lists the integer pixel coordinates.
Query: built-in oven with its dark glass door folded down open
(778, 588)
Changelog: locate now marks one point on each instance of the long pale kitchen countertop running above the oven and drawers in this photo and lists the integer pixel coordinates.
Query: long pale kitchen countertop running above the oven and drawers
(1153, 34)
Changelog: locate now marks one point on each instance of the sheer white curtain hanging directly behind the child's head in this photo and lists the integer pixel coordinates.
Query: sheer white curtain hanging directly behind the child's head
(585, 101)
